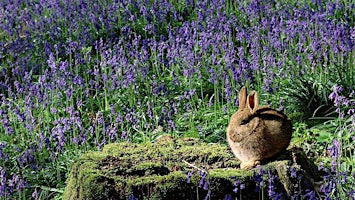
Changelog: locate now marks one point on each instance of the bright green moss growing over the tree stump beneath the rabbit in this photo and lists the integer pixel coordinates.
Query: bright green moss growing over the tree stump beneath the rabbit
(159, 171)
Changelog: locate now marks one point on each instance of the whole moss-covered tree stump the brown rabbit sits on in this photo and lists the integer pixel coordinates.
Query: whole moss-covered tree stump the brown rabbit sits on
(160, 171)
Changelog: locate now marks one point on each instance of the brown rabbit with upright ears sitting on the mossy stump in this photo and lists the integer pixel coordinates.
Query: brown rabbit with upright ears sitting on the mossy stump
(257, 133)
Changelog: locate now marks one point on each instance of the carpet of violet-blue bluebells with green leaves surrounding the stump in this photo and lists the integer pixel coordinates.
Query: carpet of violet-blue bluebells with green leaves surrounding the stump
(76, 75)
